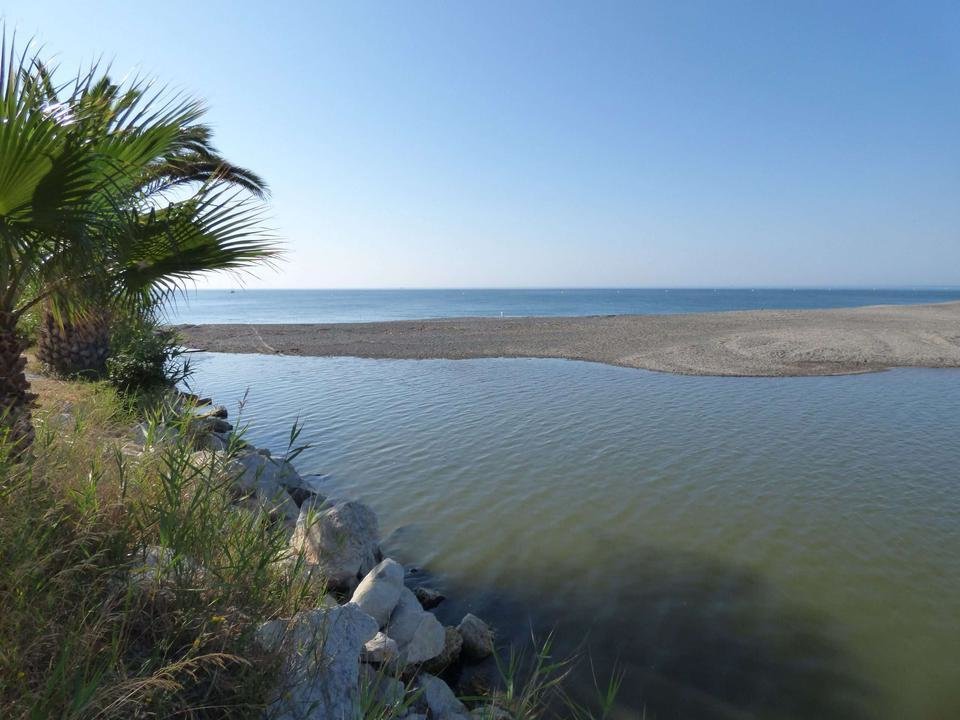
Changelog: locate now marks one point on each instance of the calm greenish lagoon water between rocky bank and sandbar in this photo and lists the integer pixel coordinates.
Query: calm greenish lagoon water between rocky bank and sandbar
(771, 548)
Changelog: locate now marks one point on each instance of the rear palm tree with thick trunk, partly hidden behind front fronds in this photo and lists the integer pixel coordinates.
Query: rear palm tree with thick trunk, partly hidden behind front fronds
(81, 346)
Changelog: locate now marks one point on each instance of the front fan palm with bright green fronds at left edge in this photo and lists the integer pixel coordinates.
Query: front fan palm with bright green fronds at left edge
(74, 211)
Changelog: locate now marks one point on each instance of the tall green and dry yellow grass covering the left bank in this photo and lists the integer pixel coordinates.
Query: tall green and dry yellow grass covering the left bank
(96, 621)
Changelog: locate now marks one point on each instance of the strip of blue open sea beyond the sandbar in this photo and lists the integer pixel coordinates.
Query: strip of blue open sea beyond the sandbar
(314, 306)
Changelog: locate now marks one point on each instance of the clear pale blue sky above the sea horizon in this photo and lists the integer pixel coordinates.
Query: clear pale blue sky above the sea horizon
(554, 144)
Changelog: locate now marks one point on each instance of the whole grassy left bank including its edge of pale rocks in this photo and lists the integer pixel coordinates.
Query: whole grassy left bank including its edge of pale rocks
(156, 563)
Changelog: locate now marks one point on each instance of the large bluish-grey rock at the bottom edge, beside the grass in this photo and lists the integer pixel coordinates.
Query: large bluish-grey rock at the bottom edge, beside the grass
(320, 673)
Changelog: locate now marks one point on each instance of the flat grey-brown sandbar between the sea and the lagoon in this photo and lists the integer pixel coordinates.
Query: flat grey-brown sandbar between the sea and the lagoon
(747, 343)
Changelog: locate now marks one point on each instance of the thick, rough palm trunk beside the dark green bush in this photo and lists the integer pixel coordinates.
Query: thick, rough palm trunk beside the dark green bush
(80, 347)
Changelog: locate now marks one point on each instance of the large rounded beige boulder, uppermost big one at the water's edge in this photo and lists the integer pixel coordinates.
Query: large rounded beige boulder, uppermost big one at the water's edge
(342, 540)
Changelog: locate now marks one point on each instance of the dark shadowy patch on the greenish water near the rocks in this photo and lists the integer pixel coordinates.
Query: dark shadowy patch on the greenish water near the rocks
(694, 637)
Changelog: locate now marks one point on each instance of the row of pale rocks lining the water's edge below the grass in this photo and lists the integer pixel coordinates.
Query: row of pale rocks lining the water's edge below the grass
(374, 640)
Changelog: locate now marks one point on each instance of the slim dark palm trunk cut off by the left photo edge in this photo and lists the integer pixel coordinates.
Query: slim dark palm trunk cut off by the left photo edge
(16, 429)
